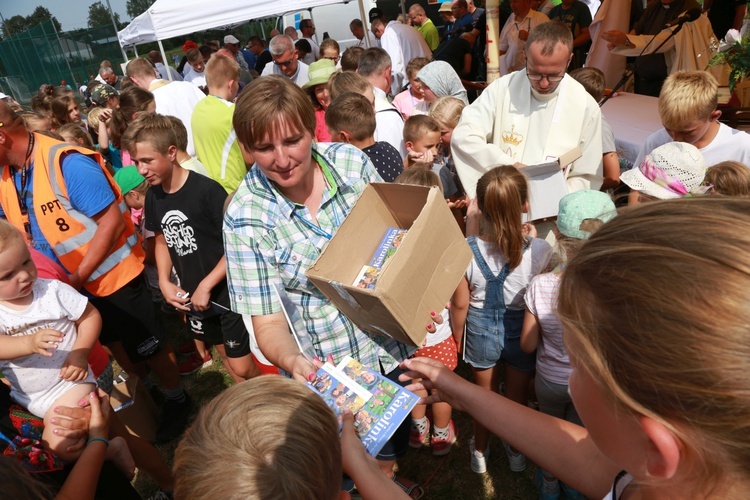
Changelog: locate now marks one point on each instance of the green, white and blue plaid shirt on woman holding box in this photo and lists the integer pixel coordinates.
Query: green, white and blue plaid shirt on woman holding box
(269, 240)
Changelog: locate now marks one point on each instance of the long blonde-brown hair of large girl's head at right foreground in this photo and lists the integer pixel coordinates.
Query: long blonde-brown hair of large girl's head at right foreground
(654, 307)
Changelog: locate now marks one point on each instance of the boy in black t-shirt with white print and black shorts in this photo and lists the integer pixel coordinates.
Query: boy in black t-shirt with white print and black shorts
(185, 210)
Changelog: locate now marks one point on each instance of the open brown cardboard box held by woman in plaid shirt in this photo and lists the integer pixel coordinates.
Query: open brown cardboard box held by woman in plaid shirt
(420, 277)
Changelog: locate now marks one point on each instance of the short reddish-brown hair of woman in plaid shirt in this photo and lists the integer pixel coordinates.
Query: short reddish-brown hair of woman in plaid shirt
(265, 102)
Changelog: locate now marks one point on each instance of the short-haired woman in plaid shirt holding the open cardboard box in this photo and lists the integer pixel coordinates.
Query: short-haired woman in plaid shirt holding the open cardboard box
(277, 223)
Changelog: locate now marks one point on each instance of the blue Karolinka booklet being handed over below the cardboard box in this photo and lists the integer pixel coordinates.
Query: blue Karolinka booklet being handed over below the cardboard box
(378, 404)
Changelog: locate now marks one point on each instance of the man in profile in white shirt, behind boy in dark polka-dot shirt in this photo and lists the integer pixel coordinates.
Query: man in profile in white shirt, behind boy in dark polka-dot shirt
(375, 67)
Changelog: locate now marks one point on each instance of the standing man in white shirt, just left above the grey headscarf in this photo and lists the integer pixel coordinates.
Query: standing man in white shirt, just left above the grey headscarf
(402, 43)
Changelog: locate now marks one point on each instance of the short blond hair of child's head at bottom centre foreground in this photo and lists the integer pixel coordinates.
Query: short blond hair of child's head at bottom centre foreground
(266, 438)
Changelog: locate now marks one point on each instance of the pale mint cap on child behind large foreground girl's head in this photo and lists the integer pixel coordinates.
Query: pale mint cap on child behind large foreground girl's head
(582, 205)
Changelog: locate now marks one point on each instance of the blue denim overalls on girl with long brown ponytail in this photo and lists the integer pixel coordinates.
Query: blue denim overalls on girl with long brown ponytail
(487, 327)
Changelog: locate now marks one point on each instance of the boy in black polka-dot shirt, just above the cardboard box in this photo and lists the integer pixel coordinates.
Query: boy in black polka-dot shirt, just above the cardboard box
(350, 118)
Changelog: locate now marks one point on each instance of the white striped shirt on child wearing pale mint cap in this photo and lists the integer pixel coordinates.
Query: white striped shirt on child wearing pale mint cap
(552, 361)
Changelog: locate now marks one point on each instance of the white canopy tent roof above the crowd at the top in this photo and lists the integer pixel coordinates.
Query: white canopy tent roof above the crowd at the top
(173, 18)
